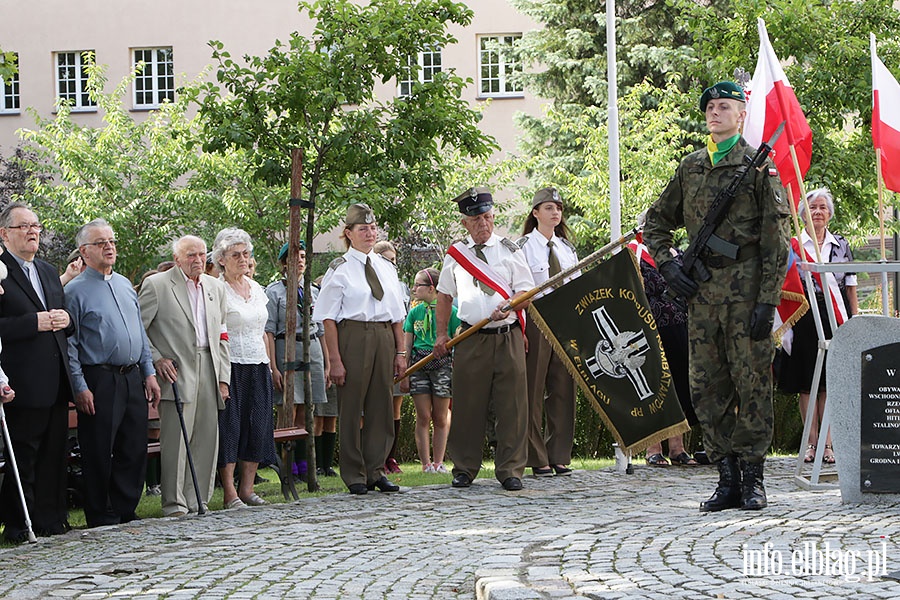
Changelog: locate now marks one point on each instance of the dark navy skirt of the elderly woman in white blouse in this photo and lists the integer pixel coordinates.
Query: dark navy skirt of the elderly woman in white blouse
(246, 426)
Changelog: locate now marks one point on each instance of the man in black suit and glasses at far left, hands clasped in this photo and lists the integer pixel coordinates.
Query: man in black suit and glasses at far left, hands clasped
(33, 327)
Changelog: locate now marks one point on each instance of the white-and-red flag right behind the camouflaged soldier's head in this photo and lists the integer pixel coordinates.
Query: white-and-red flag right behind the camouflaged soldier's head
(771, 101)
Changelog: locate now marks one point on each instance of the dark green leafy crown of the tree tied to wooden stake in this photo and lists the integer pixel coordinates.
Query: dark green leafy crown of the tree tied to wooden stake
(317, 94)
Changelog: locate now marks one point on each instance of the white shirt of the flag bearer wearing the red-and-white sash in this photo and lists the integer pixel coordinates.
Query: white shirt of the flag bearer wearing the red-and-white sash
(473, 304)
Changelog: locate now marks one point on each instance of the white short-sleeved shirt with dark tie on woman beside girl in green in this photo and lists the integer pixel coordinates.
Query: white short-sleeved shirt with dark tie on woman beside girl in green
(345, 294)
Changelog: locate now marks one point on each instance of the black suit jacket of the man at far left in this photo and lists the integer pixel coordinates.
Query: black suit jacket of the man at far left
(31, 358)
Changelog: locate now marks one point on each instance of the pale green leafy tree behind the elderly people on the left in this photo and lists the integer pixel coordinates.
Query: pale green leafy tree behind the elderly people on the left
(148, 178)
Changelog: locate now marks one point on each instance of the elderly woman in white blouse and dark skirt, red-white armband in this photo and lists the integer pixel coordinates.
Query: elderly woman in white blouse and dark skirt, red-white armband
(246, 425)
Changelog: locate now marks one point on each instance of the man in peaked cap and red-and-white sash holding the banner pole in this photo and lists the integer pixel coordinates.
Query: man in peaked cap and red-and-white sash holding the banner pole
(489, 366)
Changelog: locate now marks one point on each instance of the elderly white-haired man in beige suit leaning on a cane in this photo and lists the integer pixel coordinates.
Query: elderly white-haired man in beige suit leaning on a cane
(183, 311)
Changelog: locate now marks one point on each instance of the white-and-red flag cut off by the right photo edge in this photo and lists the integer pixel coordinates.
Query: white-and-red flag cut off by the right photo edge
(886, 120)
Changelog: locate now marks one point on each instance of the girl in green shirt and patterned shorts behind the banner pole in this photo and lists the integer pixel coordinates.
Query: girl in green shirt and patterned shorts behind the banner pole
(430, 385)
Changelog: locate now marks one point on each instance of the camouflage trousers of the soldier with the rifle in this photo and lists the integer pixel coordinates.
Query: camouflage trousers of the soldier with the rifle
(731, 381)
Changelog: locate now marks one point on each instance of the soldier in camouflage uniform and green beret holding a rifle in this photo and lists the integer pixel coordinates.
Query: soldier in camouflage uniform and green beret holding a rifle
(730, 316)
